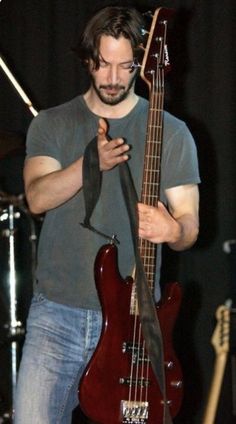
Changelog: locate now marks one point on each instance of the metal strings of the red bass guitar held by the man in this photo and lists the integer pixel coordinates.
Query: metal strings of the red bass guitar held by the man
(152, 165)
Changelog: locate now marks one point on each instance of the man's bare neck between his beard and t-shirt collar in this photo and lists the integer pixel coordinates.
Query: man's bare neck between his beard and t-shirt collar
(110, 111)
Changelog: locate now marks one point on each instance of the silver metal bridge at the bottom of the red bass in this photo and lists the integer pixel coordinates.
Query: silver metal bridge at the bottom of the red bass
(134, 412)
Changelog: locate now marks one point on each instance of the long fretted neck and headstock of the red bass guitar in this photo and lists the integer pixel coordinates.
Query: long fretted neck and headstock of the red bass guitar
(154, 67)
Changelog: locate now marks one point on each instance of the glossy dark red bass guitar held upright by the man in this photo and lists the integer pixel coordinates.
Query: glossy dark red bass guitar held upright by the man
(118, 385)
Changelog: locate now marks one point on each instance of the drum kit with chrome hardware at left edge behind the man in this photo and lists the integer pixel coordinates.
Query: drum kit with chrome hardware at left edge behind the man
(18, 243)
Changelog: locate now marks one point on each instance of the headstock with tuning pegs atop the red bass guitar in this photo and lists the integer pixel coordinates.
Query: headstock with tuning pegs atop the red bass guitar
(156, 56)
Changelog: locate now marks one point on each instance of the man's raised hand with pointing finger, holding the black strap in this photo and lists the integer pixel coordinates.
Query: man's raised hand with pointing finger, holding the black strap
(112, 152)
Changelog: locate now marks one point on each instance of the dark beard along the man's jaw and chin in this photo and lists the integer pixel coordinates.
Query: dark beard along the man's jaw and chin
(117, 94)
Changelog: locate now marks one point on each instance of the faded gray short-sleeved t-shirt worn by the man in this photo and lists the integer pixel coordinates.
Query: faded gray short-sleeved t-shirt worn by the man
(67, 251)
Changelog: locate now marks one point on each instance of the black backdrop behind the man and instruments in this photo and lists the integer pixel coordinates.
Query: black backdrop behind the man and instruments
(35, 40)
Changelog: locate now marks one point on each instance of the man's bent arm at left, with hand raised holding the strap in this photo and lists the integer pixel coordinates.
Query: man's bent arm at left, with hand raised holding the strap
(47, 185)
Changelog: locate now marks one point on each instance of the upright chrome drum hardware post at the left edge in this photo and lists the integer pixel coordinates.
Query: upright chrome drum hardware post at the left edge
(14, 327)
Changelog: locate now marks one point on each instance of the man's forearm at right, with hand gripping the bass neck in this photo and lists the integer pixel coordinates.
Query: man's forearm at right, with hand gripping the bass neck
(179, 225)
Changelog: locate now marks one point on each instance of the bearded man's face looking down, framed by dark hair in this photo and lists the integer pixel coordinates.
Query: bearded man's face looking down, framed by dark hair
(113, 81)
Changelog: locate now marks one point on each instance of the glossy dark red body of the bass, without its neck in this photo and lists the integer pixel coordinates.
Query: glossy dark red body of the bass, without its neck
(105, 385)
